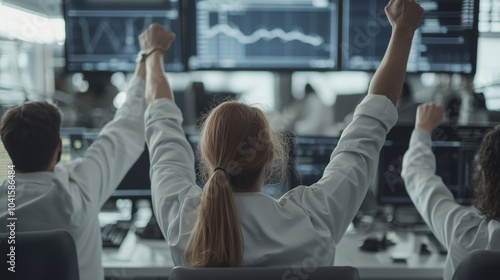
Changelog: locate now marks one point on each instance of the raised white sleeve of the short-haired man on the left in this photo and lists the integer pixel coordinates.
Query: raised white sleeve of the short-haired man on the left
(117, 148)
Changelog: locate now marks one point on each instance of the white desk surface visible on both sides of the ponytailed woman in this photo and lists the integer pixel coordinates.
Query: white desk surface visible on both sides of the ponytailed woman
(151, 258)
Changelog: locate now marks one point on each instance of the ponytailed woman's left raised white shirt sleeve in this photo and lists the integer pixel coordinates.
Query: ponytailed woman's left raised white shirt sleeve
(173, 178)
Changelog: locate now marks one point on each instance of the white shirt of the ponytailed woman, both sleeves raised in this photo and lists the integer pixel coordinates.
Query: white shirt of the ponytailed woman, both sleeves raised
(304, 227)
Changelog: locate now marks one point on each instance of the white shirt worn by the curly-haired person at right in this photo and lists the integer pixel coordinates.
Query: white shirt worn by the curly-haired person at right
(461, 229)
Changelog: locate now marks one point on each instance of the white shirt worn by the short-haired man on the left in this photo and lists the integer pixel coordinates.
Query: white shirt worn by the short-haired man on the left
(71, 197)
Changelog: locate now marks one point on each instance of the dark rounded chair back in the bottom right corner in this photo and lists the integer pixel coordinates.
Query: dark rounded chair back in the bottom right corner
(479, 264)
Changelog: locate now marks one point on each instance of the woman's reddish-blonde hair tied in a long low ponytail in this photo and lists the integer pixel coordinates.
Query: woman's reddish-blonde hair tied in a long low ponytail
(237, 147)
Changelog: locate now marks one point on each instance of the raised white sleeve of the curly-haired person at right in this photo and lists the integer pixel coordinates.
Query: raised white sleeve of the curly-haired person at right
(432, 199)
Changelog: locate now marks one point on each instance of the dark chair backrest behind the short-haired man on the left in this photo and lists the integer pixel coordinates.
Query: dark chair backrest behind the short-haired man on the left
(38, 255)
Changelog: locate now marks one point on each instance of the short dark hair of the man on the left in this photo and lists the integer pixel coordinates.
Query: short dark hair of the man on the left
(30, 134)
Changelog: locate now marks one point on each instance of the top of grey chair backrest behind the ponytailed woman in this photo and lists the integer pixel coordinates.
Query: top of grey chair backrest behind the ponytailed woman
(265, 273)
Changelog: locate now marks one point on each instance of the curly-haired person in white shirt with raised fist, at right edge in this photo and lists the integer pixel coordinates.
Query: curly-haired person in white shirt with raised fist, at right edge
(460, 228)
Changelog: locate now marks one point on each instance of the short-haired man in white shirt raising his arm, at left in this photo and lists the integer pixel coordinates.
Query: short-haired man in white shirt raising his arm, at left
(51, 195)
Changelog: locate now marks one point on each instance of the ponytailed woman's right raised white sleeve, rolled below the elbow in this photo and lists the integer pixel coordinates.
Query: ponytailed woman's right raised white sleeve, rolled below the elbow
(334, 200)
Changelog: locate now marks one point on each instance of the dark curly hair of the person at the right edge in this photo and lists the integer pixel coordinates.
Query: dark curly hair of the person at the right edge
(487, 176)
